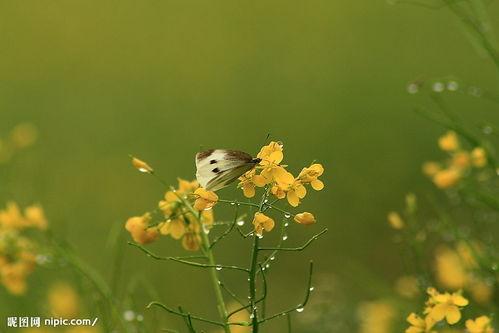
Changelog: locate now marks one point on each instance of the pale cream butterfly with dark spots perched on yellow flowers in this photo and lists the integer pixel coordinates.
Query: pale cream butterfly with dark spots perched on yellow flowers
(217, 168)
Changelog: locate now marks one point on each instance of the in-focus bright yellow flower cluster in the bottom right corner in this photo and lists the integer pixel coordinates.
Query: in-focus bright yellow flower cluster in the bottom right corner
(445, 307)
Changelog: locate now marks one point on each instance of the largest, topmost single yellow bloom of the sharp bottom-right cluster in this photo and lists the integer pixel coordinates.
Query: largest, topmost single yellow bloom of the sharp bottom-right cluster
(447, 306)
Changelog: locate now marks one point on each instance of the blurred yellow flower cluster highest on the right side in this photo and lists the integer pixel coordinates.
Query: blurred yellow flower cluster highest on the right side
(448, 173)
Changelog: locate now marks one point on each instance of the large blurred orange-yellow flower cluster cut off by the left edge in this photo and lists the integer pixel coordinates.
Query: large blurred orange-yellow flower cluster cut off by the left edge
(18, 252)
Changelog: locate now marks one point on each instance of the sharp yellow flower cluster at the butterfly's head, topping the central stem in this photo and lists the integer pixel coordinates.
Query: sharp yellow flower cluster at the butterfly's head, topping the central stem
(281, 182)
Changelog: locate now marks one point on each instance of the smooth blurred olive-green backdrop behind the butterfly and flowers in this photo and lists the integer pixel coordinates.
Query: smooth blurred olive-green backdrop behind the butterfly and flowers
(160, 79)
